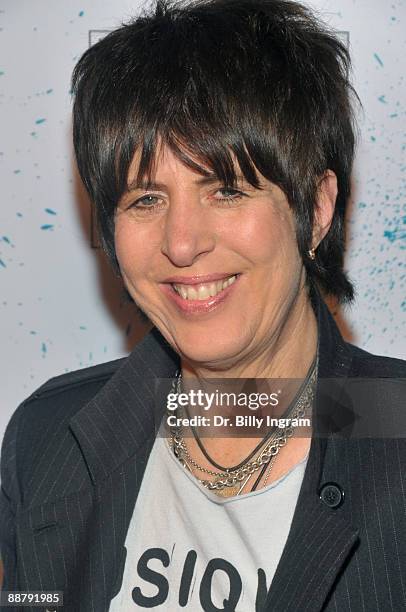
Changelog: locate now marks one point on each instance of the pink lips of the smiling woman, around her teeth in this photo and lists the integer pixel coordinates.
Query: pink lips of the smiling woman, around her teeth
(198, 307)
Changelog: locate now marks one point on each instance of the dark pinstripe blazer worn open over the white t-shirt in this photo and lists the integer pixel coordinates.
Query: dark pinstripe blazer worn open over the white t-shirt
(75, 452)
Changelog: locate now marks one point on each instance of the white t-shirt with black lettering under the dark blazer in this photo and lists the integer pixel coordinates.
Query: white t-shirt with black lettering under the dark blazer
(188, 549)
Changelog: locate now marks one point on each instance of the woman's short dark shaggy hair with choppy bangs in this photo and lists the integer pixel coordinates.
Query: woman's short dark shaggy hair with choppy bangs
(259, 81)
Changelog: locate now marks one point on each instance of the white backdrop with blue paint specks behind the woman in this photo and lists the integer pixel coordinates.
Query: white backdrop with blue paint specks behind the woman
(60, 307)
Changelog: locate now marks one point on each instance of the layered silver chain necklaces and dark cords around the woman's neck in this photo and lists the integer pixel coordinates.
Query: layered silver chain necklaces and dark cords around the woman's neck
(231, 481)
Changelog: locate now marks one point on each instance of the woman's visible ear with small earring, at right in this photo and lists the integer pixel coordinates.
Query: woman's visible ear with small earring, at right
(325, 205)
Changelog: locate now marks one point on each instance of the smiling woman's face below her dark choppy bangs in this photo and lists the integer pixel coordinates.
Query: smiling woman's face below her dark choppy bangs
(216, 270)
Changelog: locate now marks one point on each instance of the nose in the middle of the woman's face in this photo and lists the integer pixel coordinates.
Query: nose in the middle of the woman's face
(188, 233)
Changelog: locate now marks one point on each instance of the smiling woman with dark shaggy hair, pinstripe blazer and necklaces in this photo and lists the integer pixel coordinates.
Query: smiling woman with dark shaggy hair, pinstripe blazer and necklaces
(216, 141)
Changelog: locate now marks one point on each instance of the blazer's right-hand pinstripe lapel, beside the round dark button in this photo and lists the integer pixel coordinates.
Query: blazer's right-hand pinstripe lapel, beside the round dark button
(321, 536)
